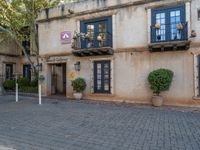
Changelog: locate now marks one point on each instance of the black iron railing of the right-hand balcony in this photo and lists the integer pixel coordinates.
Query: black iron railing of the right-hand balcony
(169, 32)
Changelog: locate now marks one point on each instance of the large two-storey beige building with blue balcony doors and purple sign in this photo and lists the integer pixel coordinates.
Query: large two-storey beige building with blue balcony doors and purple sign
(117, 44)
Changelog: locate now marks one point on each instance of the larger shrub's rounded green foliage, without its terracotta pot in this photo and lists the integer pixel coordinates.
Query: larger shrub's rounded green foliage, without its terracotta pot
(160, 80)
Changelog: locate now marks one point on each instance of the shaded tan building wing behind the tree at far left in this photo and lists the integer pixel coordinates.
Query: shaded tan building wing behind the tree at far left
(13, 61)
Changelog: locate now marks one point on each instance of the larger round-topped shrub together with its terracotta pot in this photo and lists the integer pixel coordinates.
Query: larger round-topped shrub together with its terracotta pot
(159, 80)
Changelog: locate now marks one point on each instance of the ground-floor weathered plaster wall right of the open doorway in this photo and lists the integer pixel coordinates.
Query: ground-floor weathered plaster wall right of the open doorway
(130, 76)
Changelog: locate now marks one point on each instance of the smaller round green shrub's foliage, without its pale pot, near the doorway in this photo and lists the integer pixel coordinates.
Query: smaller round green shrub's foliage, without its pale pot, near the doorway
(79, 85)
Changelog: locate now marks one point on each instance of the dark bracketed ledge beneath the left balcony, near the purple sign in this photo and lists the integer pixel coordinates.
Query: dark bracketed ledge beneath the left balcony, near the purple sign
(93, 52)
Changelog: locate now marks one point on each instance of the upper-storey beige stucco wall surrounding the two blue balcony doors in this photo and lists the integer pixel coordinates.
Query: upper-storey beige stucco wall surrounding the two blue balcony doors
(130, 24)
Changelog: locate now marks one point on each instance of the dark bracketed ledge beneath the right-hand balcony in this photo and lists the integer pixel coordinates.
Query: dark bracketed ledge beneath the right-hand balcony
(169, 46)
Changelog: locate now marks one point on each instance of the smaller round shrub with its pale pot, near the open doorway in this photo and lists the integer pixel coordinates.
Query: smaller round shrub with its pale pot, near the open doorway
(79, 86)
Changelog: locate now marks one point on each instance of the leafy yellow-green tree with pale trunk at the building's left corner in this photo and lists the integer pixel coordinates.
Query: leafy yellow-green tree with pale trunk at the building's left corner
(18, 21)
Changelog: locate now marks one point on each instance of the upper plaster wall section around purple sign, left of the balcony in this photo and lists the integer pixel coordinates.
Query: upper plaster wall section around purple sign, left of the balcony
(49, 36)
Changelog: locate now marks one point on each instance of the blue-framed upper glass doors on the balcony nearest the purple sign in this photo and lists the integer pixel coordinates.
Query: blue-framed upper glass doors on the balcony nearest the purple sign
(98, 33)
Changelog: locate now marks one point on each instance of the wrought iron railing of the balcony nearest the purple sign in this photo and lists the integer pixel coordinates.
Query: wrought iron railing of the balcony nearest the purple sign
(95, 40)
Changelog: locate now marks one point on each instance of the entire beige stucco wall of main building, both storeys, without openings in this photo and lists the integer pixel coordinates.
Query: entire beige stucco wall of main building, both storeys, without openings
(131, 26)
